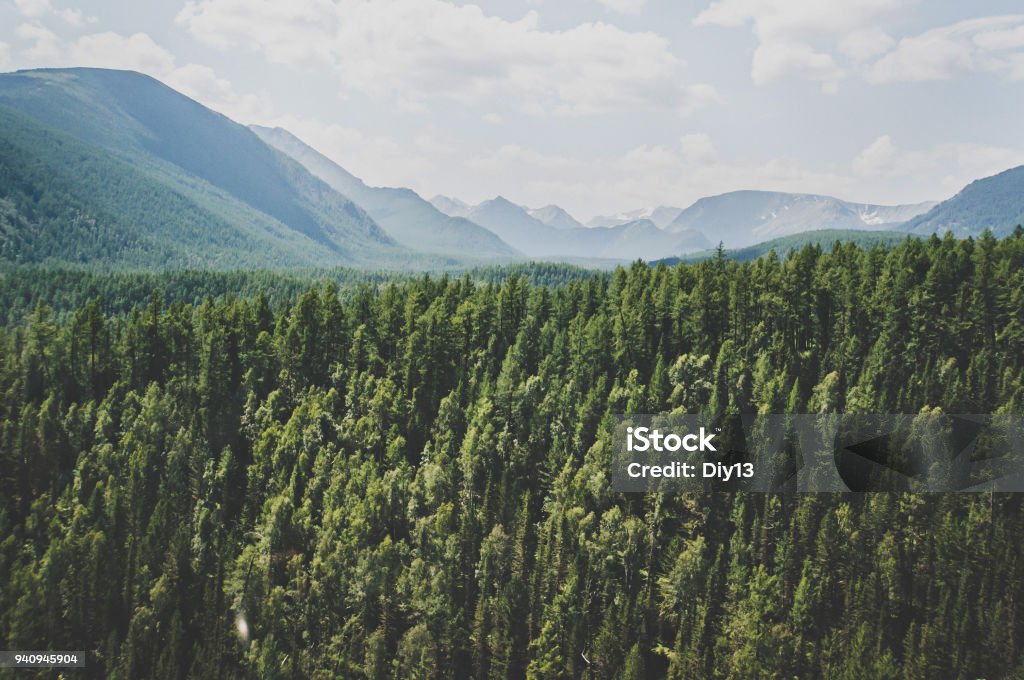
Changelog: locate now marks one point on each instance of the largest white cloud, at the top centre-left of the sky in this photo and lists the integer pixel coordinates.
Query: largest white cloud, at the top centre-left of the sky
(418, 51)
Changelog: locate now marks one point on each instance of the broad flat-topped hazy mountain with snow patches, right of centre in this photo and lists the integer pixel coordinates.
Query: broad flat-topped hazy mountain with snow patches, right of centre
(744, 219)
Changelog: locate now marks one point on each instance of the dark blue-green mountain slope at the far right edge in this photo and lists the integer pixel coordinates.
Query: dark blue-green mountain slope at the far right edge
(996, 203)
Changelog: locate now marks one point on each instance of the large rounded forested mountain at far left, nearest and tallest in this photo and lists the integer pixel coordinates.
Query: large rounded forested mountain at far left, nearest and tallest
(113, 168)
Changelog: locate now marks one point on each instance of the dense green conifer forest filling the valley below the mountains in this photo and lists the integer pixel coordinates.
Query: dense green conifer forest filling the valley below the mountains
(411, 480)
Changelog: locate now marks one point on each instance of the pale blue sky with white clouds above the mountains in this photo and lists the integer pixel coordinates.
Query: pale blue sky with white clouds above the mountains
(598, 106)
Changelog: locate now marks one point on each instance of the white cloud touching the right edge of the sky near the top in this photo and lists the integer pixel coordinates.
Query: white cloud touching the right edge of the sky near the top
(990, 45)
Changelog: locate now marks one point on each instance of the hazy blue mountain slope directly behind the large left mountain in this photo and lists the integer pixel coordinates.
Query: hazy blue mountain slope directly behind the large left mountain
(406, 217)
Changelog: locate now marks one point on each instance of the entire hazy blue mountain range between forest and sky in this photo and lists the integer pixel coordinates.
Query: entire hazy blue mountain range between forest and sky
(114, 169)
